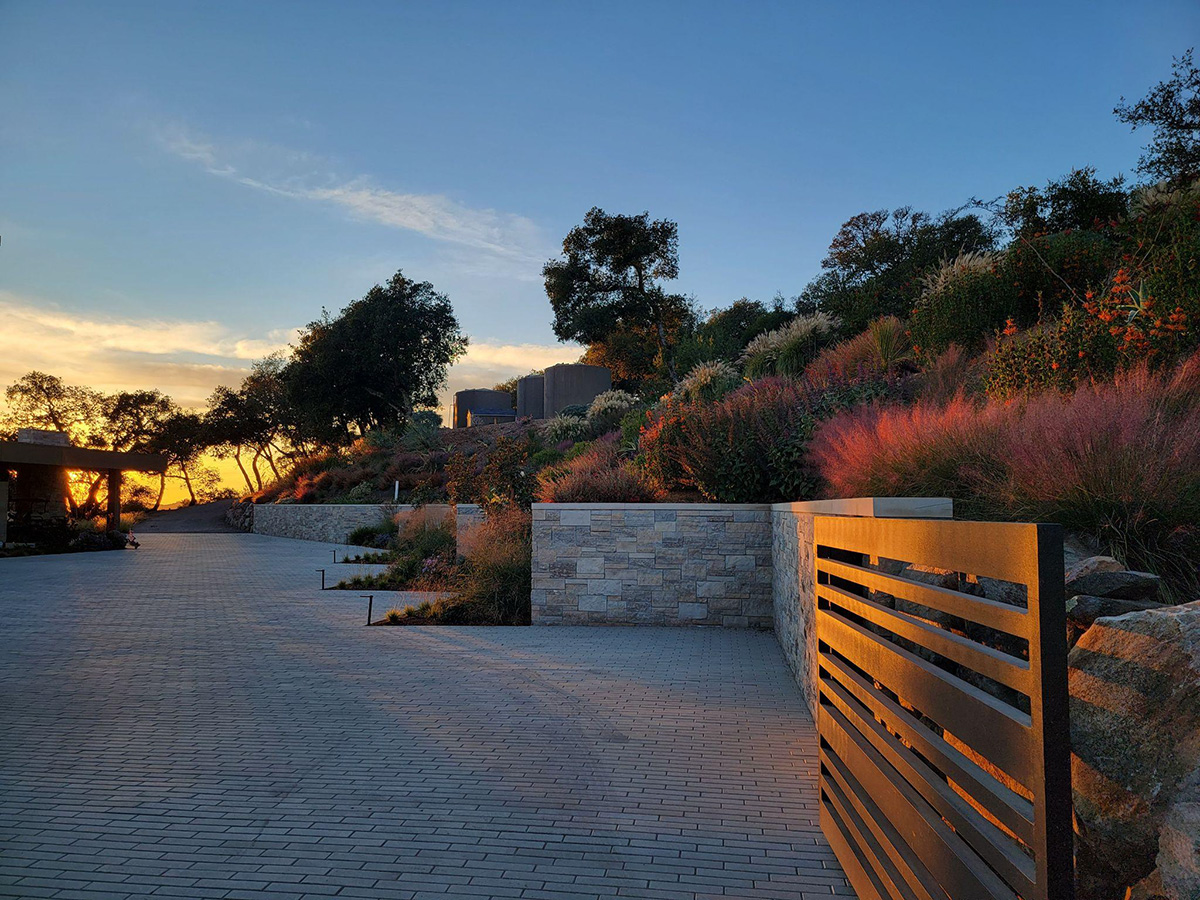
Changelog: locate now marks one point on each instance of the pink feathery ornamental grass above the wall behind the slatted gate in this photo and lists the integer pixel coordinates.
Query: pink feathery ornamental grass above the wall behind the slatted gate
(1119, 460)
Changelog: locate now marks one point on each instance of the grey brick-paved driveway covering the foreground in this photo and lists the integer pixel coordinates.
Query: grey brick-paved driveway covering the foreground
(194, 721)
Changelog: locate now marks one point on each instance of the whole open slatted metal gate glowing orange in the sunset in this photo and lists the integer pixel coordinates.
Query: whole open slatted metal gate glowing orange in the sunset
(923, 733)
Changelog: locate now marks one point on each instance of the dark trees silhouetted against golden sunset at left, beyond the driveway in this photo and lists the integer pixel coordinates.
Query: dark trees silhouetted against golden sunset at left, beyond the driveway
(367, 369)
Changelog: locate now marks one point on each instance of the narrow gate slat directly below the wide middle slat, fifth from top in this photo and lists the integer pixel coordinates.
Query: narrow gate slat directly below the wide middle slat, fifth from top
(1013, 811)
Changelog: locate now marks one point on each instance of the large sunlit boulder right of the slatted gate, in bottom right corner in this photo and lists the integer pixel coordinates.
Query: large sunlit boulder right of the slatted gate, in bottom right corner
(1136, 736)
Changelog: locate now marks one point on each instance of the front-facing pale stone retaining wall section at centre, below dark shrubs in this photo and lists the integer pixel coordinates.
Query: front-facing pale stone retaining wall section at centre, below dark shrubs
(657, 565)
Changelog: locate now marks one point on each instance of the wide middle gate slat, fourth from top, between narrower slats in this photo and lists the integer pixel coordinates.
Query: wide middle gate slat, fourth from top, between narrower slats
(969, 713)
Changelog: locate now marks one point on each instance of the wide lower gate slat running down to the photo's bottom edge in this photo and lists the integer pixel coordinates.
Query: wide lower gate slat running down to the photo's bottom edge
(950, 859)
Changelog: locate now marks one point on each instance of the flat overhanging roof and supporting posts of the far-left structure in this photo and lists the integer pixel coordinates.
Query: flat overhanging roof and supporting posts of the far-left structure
(55, 459)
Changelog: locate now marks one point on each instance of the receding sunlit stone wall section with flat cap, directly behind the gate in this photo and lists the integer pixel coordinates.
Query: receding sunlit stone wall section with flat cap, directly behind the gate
(794, 592)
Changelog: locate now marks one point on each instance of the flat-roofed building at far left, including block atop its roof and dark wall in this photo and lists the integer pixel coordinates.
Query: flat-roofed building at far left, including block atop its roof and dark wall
(34, 478)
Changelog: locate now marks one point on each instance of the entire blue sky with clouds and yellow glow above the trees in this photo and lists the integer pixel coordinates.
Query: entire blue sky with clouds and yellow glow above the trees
(182, 185)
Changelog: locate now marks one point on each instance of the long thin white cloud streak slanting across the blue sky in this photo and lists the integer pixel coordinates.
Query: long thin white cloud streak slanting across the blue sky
(301, 176)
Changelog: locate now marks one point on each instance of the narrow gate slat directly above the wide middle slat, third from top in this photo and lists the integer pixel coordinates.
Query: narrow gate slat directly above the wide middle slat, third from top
(987, 662)
